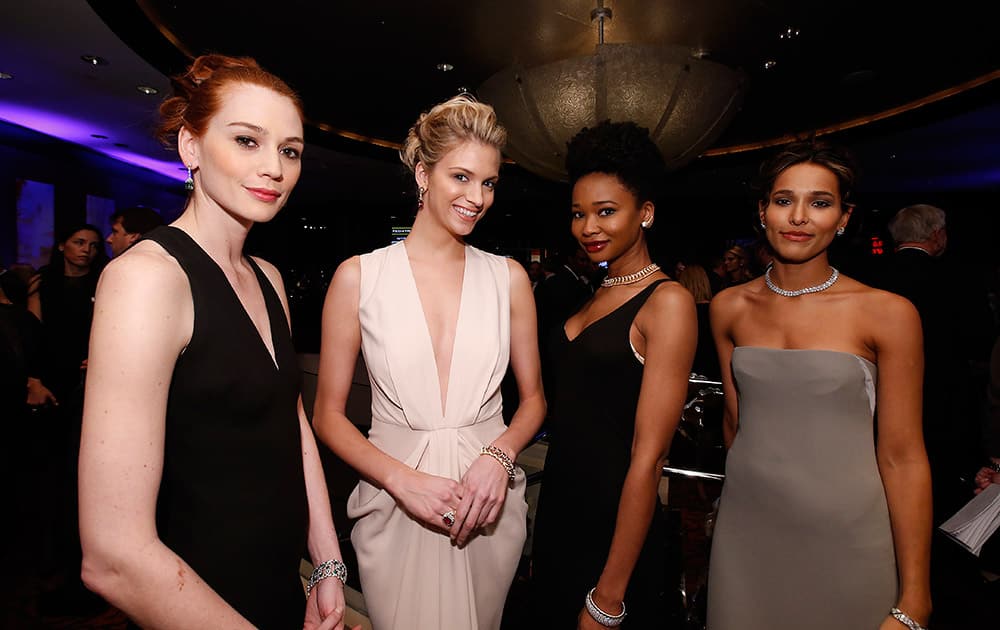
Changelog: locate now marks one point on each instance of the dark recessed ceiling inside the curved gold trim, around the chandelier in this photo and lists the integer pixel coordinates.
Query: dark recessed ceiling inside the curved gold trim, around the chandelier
(368, 68)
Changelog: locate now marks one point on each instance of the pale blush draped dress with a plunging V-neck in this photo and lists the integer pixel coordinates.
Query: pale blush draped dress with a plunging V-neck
(413, 578)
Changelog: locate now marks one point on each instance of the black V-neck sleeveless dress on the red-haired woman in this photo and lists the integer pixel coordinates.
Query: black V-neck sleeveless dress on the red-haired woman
(232, 500)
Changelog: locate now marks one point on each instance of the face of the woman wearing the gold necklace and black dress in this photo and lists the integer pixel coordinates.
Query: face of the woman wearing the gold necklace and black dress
(607, 217)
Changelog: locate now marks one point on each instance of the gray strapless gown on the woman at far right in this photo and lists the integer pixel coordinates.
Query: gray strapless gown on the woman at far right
(803, 538)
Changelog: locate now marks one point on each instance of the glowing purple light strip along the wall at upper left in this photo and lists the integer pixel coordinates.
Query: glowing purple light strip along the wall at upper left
(78, 131)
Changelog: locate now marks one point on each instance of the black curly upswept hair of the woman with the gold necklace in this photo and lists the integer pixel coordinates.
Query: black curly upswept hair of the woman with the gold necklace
(622, 149)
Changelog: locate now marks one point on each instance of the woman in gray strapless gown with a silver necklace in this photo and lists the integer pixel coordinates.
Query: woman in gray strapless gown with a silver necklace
(820, 525)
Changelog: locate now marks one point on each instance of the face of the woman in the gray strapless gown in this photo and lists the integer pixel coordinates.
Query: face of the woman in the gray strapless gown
(803, 212)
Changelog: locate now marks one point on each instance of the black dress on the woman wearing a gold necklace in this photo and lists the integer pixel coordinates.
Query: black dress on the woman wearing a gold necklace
(596, 392)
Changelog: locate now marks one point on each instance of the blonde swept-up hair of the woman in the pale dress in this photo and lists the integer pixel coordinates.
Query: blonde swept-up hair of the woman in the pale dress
(448, 124)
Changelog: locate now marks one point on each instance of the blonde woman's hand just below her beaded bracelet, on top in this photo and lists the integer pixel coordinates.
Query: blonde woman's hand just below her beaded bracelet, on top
(485, 488)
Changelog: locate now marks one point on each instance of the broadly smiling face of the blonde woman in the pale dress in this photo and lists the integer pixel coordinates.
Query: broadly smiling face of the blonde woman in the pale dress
(460, 187)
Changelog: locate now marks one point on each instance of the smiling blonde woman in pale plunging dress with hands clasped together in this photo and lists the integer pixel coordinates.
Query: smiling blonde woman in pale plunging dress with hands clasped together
(440, 508)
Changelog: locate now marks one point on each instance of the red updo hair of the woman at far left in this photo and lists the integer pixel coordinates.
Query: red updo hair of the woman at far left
(199, 91)
